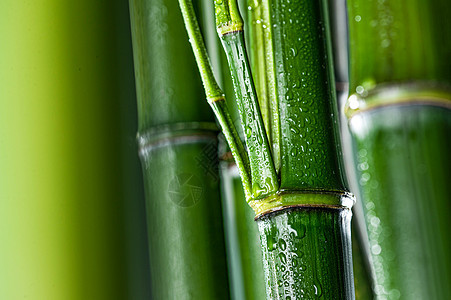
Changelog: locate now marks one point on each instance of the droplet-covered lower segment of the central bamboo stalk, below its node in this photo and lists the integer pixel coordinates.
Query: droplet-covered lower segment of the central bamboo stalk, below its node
(292, 242)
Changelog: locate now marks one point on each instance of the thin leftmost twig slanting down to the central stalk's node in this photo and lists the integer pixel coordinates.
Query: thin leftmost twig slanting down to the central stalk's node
(215, 95)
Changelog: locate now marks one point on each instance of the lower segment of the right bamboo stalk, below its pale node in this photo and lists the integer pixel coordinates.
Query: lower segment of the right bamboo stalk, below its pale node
(404, 168)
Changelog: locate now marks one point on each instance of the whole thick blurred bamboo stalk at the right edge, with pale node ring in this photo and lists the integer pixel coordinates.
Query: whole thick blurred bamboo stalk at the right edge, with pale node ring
(400, 117)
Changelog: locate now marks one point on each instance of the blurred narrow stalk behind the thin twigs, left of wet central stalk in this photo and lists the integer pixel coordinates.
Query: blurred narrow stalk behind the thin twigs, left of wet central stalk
(244, 255)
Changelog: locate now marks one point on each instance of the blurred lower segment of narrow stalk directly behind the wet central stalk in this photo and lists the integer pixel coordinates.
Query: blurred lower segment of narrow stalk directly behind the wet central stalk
(243, 239)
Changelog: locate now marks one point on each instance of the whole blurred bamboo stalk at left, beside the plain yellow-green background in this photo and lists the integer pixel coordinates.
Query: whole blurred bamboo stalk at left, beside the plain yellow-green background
(177, 136)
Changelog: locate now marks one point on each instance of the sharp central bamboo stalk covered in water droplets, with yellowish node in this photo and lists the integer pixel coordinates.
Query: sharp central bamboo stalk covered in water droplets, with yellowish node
(294, 240)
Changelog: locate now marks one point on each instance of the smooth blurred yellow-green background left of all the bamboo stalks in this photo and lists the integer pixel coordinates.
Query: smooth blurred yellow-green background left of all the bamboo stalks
(71, 199)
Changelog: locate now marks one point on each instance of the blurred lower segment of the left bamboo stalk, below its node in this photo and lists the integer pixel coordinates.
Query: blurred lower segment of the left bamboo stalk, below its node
(186, 241)
